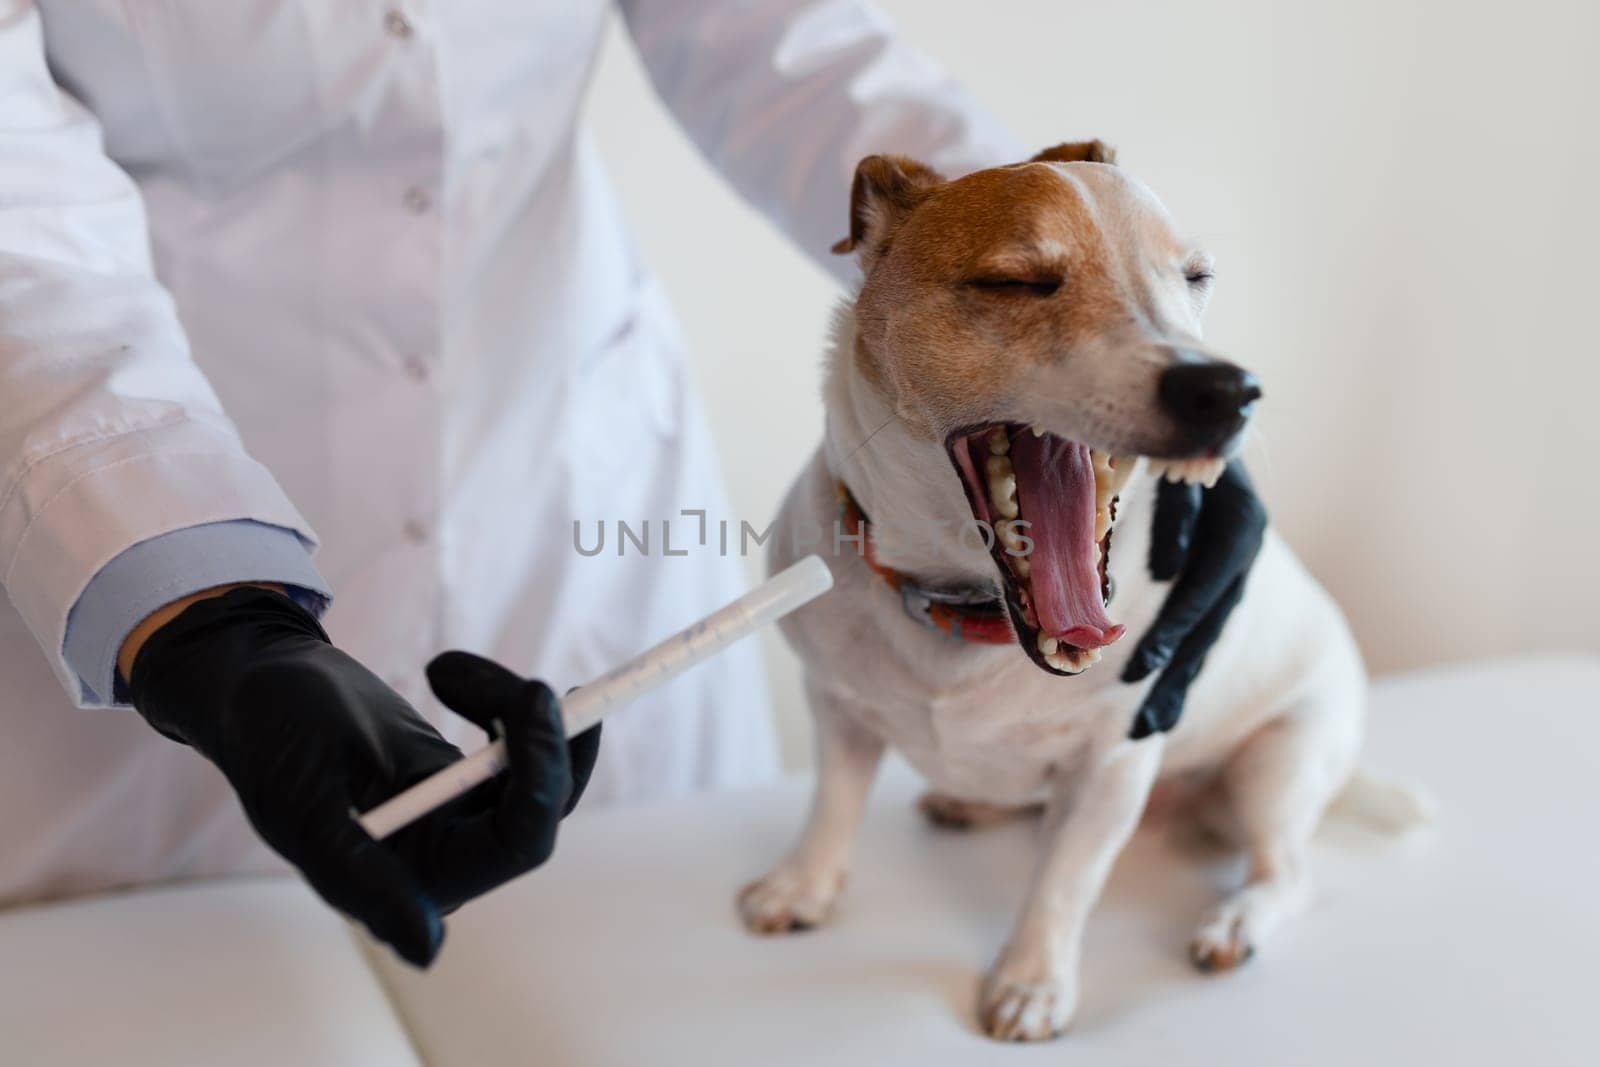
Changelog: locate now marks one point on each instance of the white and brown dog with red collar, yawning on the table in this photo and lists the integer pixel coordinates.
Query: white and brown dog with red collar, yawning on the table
(1023, 337)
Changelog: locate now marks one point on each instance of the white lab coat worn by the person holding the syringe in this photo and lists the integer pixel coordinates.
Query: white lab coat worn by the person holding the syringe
(353, 268)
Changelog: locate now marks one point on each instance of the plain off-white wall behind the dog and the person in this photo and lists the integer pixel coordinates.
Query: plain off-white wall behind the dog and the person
(1401, 196)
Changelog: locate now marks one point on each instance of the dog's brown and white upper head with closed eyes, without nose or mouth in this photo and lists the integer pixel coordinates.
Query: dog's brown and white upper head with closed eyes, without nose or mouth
(1049, 292)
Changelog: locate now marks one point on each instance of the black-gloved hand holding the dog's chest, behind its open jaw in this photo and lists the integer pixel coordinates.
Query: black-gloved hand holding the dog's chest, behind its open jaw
(1209, 541)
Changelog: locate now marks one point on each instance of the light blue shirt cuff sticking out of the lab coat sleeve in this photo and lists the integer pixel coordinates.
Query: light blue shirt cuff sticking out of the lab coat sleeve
(161, 570)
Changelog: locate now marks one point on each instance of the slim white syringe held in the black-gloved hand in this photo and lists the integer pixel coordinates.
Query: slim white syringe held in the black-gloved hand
(585, 708)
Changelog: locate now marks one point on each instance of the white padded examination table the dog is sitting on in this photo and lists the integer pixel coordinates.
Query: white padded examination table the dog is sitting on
(1476, 941)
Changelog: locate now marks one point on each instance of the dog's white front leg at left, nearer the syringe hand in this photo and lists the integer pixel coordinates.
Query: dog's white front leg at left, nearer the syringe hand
(801, 890)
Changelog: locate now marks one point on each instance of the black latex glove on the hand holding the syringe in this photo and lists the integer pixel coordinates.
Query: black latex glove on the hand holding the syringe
(310, 738)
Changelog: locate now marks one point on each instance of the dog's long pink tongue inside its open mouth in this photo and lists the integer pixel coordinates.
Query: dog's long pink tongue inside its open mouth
(1055, 490)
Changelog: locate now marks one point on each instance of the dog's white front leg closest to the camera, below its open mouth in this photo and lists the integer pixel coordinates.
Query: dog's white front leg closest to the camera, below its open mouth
(1033, 991)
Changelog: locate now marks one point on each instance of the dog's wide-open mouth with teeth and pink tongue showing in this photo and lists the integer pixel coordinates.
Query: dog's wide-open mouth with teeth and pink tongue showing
(1050, 505)
